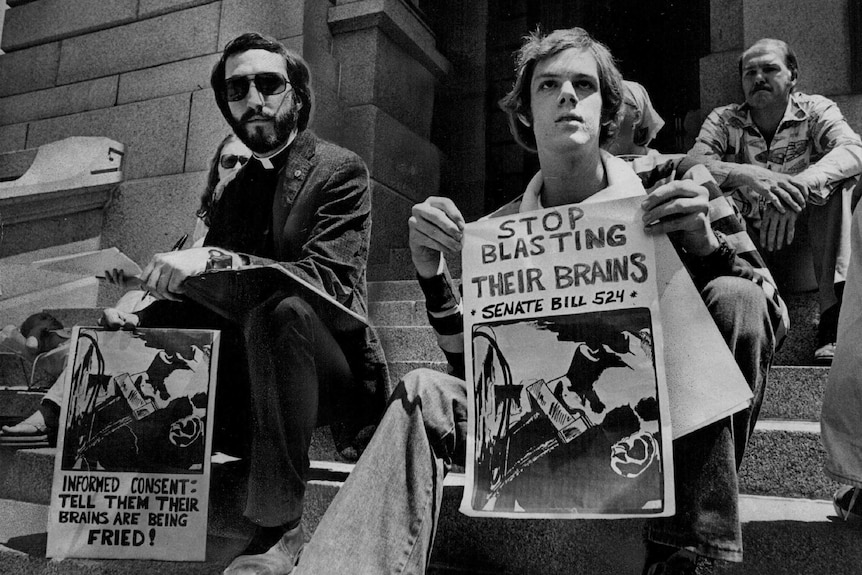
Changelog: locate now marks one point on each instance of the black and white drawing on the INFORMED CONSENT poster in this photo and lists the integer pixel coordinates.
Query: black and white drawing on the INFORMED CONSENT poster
(138, 401)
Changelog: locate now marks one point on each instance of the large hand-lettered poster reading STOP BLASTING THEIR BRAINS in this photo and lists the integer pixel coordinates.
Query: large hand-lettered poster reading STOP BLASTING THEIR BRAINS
(565, 373)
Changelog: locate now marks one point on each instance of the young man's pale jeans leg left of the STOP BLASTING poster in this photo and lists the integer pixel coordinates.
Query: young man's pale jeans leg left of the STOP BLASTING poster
(384, 517)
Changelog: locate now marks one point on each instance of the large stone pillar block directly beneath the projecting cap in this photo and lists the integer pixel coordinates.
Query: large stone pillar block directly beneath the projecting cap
(377, 71)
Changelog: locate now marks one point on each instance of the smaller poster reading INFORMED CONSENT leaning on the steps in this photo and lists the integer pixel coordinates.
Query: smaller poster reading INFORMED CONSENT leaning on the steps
(131, 478)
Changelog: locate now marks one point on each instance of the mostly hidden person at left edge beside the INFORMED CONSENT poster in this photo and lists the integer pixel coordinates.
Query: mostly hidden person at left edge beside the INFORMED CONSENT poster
(42, 333)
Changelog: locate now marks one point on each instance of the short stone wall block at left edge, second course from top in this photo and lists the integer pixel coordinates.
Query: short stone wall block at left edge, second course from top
(29, 69)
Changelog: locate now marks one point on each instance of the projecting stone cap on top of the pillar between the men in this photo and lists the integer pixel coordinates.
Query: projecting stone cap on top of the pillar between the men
(398, 22)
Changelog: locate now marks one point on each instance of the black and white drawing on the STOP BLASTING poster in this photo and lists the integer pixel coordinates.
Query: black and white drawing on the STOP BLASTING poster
(567, 414)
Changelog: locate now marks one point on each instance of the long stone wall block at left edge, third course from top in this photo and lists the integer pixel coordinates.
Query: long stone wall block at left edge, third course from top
(60, 101)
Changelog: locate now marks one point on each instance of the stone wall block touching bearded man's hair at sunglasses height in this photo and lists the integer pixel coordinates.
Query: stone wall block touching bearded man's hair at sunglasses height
(167, 79)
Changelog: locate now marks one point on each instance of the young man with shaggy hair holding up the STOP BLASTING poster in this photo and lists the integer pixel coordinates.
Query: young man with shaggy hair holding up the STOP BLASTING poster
(562, 106)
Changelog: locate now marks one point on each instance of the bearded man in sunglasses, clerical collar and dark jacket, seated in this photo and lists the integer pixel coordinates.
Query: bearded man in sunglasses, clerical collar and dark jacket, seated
(306, 204)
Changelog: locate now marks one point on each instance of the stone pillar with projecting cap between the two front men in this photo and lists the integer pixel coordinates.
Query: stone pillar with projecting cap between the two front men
(390, 69)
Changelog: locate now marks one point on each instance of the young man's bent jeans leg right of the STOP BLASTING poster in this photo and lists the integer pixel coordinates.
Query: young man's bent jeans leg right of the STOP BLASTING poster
(706, 461)
